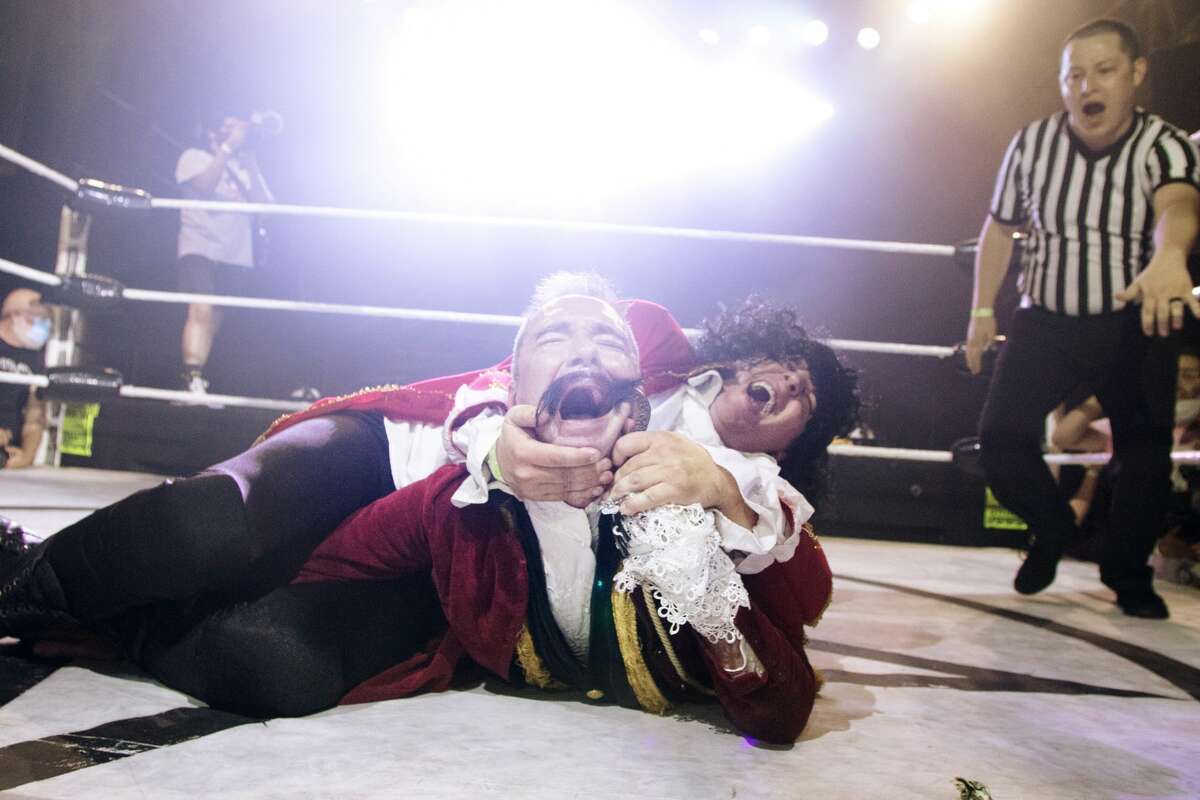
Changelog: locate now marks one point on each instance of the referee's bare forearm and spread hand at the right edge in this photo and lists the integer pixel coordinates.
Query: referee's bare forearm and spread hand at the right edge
(1166, 279)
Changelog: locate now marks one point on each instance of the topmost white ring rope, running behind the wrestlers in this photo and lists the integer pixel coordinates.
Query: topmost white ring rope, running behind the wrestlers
(283, 209)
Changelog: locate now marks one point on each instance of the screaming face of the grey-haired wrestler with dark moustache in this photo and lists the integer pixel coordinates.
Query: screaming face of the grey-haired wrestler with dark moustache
(583, 344)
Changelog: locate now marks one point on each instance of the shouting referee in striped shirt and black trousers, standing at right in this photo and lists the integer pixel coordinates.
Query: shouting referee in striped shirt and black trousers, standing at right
(1108, 194)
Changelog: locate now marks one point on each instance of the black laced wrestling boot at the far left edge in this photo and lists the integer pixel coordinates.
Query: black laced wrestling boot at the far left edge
(31, 597)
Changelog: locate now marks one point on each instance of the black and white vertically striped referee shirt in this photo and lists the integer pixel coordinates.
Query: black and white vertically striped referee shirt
(1091, 215)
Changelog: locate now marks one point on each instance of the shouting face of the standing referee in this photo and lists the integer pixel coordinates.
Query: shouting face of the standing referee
(1099, 81)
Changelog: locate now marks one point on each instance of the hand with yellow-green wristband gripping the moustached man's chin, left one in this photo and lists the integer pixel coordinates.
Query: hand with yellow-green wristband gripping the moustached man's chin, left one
(537, 471)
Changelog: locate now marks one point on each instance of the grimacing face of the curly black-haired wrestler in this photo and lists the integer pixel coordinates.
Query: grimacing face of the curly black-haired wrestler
(765, 407)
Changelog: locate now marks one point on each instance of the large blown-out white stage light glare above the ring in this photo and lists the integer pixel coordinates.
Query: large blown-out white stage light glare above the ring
(567, 103)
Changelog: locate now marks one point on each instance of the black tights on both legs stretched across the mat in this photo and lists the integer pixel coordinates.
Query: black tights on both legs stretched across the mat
(193, 576)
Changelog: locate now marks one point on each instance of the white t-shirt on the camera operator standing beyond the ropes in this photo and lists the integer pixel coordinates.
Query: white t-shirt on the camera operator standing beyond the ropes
(225, 238)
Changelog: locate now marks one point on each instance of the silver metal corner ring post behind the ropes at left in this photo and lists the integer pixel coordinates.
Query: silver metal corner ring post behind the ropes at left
(63, 348)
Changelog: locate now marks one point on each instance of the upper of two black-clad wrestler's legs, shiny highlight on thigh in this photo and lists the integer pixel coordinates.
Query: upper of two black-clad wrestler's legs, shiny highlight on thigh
(251, 521)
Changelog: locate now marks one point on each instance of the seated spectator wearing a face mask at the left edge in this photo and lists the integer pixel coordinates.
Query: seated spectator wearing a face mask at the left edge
(25, 329)
